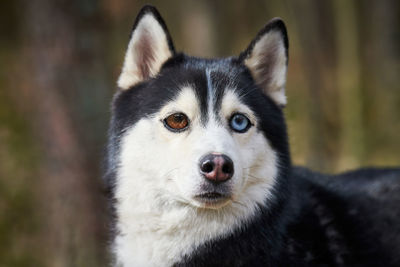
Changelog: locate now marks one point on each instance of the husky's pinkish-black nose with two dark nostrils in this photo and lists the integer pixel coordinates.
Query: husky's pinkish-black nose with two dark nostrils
(216, 167)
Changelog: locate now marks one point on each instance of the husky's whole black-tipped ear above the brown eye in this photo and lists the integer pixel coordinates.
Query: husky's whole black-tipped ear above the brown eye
(150, 45)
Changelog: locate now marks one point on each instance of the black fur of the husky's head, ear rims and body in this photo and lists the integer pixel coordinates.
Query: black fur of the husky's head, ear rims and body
(352, 219)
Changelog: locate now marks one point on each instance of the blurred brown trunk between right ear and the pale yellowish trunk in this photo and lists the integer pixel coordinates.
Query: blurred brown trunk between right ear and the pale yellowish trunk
(318, 65)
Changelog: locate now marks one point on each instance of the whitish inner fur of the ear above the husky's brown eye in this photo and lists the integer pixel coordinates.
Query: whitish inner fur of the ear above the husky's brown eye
(148, 27)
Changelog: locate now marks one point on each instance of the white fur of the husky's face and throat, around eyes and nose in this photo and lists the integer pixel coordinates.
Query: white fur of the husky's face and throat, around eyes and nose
(159, 221)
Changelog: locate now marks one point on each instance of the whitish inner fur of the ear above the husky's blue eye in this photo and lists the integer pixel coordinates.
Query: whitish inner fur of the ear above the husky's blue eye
(271, 43)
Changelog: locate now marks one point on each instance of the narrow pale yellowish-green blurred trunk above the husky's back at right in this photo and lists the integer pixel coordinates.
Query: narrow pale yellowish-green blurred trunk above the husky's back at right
(349, 84)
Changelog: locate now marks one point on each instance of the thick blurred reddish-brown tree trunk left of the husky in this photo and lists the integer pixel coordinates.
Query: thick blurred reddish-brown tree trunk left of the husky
(68, 191)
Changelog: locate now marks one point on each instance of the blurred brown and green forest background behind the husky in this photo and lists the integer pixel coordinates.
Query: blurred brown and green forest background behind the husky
(59, 61)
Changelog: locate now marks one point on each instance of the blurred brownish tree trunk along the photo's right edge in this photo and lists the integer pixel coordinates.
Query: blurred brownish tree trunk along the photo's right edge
(380, 44)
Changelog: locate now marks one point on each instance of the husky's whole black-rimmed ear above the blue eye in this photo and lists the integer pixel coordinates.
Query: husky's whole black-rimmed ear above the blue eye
(267, 58)
